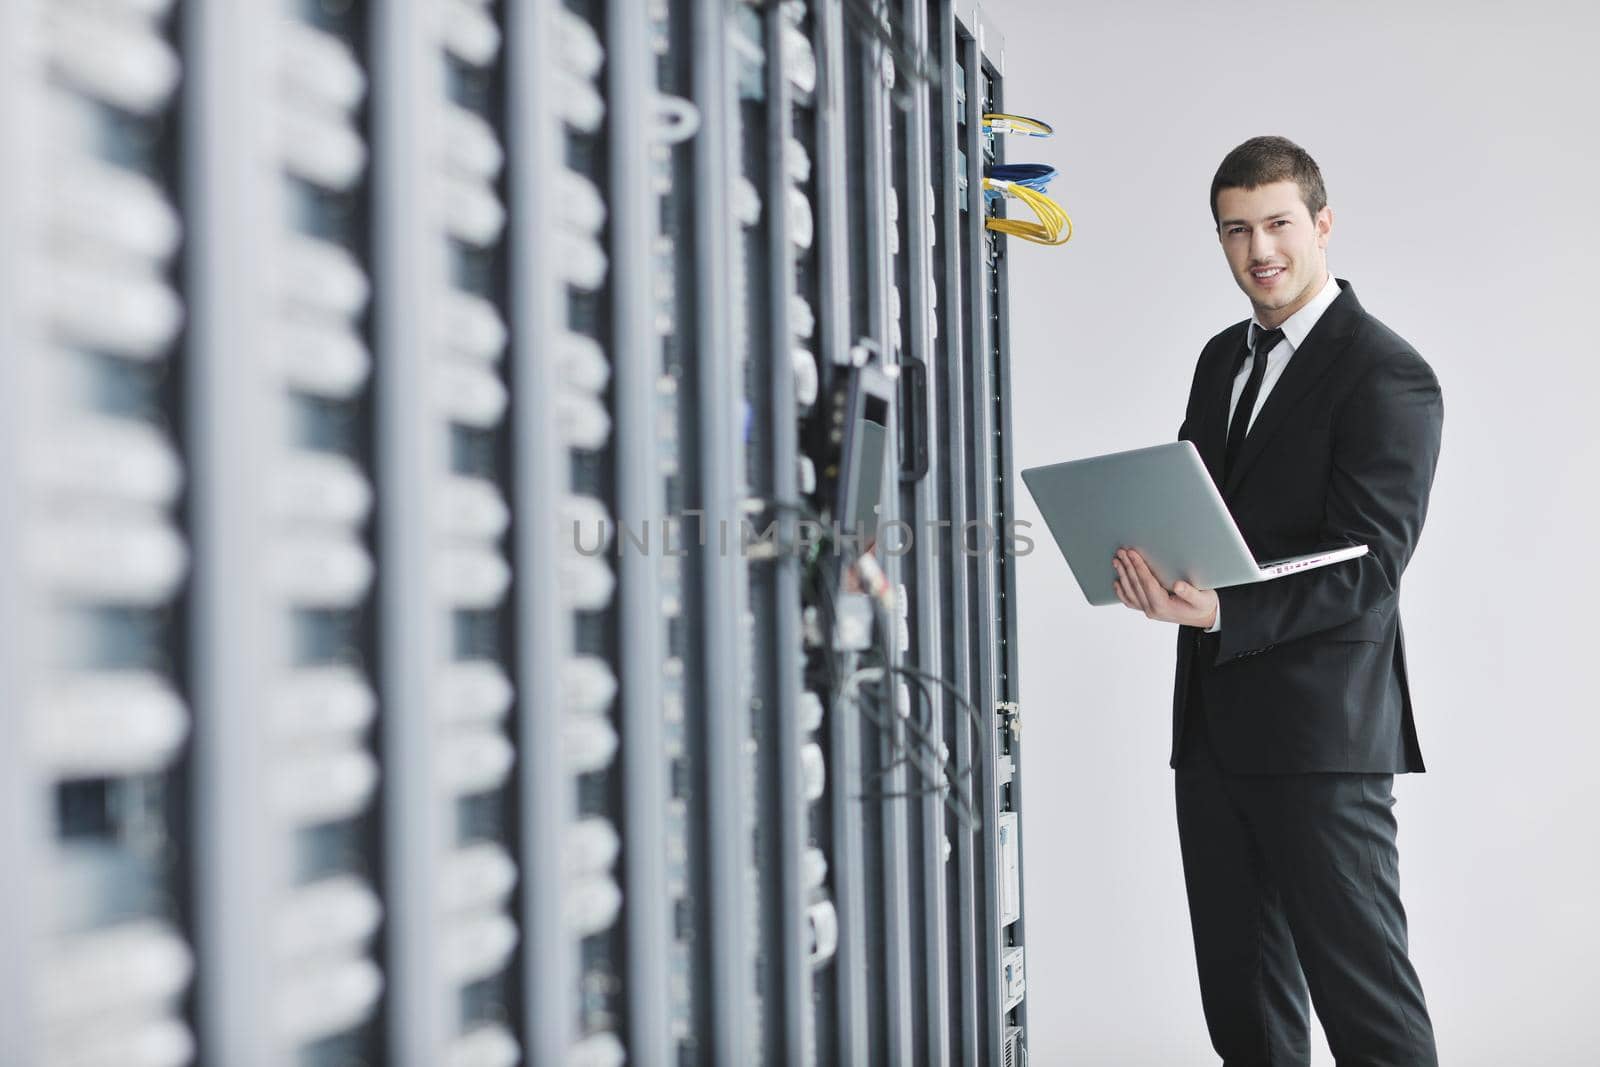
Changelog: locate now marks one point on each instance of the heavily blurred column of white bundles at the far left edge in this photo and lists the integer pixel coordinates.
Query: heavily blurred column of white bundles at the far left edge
(97, 551)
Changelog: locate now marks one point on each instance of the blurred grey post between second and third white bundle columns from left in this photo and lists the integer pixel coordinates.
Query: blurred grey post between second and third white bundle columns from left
(409, 274)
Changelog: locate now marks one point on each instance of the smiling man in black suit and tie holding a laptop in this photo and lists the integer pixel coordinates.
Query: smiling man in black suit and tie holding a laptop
(1292, 713)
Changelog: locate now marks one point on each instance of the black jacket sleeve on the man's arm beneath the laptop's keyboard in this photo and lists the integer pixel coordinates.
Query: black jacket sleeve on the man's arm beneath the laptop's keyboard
(1385, 454)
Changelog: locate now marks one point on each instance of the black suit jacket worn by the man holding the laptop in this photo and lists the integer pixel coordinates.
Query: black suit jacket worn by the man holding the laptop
(1308, 673)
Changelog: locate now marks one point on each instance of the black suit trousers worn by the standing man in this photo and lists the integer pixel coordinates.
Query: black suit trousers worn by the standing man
(1294, 882)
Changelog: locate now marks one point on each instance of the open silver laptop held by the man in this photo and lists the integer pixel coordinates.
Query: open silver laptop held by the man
(1164, 503)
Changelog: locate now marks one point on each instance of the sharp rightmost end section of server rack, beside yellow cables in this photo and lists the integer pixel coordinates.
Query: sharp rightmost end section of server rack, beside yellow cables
(970, 402)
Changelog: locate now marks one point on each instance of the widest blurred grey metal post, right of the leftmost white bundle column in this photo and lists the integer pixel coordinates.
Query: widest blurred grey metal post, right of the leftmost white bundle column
(244, 855)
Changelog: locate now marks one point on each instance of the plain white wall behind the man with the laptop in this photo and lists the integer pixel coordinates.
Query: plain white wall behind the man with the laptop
(1462, 150)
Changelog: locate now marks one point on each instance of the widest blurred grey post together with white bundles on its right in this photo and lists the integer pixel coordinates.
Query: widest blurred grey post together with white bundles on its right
(286, 847)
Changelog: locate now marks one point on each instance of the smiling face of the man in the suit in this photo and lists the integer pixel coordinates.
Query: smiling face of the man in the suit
(1278, 252)
